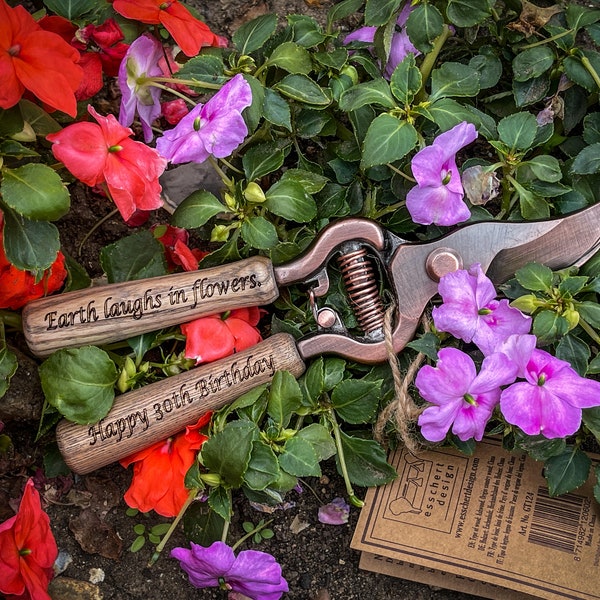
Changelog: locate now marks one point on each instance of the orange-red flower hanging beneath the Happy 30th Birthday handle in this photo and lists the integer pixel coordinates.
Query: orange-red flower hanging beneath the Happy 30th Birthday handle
(159, 471)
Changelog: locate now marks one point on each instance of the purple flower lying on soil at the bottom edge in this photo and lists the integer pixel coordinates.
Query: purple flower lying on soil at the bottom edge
(252, 573)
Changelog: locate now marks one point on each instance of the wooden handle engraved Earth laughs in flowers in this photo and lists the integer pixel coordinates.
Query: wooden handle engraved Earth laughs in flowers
(105, 314)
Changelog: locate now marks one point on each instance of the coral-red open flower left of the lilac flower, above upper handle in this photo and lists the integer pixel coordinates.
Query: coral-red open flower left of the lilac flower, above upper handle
(106, 154)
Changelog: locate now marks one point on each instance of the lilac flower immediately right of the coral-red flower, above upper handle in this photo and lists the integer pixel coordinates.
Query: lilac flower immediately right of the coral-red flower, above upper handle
(216, 127)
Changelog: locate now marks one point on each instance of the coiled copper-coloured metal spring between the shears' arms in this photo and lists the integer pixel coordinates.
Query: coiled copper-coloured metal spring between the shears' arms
(361, 285)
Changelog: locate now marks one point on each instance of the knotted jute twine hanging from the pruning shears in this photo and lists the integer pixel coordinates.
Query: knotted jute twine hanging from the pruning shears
(402, 411)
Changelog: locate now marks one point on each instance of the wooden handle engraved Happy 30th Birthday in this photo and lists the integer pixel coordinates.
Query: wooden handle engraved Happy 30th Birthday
(155, 412)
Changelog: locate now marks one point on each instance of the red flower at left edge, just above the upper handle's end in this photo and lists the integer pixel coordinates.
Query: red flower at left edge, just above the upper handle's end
(17, 287)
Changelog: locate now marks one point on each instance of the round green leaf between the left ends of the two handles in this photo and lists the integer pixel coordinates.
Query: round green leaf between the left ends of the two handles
(79, 383)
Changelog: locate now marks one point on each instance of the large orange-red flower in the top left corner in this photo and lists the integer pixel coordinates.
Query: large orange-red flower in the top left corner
(35, 60)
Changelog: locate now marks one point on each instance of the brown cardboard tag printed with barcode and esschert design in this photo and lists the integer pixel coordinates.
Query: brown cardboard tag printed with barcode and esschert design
(486, 517)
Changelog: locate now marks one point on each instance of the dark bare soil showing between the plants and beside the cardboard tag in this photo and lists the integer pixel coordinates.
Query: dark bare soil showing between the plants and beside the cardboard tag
(89, 511)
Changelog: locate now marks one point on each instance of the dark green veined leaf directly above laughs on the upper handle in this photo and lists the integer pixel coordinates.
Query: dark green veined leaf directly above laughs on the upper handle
(137, 256)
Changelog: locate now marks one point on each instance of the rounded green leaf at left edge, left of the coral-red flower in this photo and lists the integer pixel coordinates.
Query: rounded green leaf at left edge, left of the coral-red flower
(35, 191)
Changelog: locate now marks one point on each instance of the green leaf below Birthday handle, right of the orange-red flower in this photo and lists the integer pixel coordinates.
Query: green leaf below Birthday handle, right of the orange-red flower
(228, 452)
